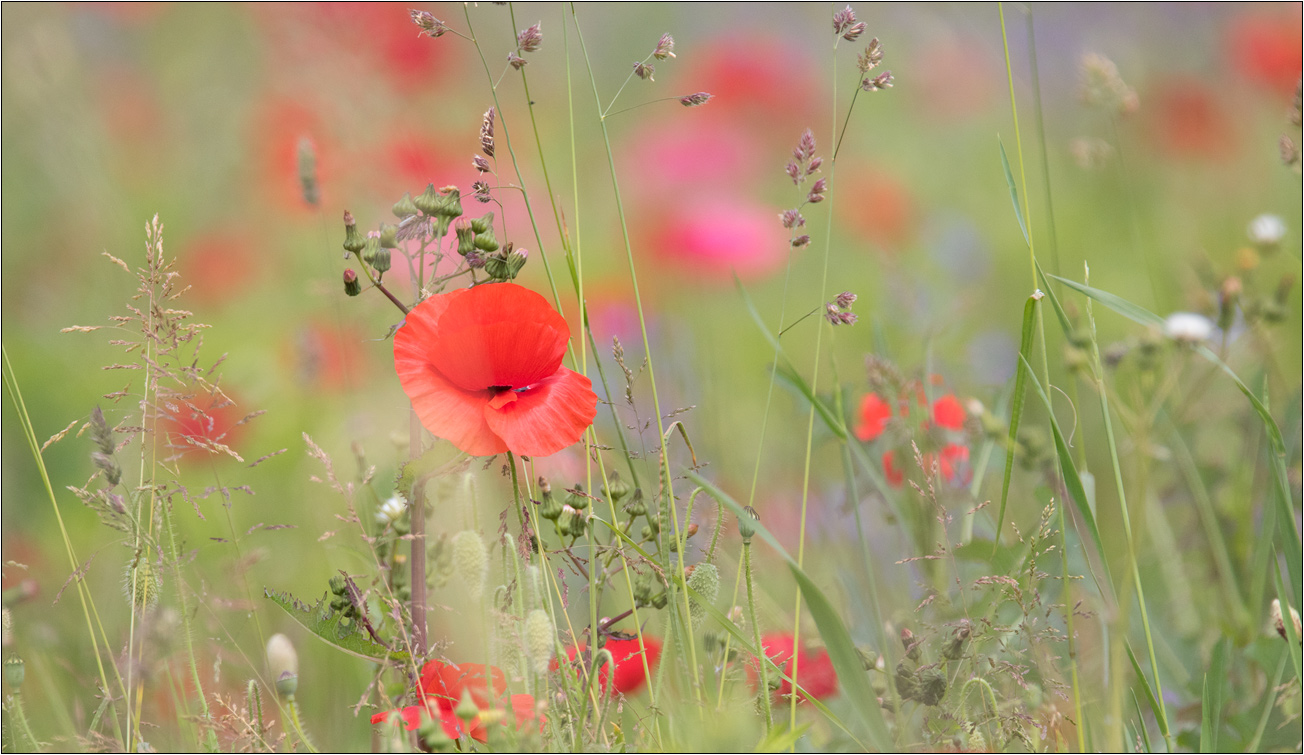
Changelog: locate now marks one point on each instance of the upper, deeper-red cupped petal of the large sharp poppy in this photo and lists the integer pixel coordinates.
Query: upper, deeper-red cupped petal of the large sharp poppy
(499, 336)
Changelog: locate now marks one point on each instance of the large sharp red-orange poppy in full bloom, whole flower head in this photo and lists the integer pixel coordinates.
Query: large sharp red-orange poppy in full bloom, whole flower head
(483, 368)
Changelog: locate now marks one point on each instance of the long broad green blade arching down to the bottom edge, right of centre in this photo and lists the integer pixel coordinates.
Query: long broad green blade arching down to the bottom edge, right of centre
(838, 642)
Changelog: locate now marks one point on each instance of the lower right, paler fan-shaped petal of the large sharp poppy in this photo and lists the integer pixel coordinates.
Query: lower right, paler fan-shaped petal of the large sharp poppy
(548, 418)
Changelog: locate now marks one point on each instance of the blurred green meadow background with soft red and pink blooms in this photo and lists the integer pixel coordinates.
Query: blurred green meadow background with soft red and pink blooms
(117, 113)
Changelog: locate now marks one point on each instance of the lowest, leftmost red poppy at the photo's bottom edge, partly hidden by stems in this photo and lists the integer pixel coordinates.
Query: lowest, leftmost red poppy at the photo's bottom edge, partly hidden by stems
(441, 689)
